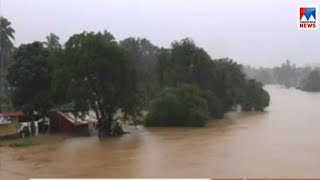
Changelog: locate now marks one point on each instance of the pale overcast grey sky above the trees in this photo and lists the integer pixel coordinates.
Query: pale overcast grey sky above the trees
(260, 33)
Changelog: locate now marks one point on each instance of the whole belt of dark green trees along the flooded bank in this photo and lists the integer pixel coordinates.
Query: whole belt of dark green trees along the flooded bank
(176, 86)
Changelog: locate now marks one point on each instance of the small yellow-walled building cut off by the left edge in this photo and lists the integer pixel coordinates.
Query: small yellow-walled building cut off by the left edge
(9, 124)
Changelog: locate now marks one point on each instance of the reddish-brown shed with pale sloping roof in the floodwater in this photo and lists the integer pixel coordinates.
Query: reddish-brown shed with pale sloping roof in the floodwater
(66, 122)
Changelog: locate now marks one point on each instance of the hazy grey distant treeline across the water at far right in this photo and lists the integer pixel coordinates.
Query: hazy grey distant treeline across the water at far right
(287, 74)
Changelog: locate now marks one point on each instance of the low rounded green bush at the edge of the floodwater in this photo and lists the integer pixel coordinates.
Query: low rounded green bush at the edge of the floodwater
(182, 106)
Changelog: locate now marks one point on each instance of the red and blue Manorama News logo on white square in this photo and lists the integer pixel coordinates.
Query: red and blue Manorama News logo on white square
(308, 18)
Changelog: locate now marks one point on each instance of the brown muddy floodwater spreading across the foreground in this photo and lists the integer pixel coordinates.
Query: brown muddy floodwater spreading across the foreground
(284, 141)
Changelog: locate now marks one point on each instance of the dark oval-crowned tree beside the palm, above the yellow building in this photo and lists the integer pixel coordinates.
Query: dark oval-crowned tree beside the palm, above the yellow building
(29, 79)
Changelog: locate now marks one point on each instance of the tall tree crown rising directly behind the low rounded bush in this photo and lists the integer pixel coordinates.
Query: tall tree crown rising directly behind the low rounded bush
(186, 63)
